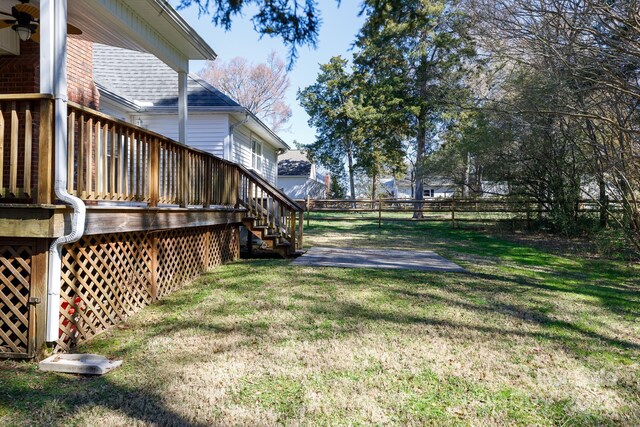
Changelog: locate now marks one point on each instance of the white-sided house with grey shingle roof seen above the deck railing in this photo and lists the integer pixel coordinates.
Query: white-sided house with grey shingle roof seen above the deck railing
(140, 89)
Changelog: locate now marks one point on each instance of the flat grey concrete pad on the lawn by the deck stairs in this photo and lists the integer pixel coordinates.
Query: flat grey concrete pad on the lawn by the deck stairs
(376, 258)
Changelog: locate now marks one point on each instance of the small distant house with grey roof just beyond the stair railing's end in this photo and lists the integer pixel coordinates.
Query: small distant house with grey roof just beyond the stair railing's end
(299, 178)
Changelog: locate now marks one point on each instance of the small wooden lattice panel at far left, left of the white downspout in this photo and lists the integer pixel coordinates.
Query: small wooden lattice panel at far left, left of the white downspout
(15, 282)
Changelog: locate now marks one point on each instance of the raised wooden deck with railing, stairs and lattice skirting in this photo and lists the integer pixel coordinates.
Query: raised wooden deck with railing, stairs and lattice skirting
(158, 214)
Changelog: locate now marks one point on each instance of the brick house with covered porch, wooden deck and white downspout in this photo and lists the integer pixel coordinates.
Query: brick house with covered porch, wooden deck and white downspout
(100, 216)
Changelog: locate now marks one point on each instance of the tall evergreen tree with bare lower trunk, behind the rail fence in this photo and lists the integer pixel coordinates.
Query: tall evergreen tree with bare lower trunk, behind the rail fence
(418, 51)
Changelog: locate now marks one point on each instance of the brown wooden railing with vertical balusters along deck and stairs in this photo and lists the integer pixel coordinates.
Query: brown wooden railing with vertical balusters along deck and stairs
(110, 160)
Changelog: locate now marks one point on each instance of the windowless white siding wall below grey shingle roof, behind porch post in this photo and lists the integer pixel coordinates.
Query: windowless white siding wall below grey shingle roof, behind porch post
(206, 132)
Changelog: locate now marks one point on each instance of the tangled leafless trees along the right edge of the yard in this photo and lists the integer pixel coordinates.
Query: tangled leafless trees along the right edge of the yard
(570, 78)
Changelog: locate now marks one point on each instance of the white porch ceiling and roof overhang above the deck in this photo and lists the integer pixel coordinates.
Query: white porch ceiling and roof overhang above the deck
(144, 25)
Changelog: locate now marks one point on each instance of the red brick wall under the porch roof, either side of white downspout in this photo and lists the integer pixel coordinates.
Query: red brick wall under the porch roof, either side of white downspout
(21, 74)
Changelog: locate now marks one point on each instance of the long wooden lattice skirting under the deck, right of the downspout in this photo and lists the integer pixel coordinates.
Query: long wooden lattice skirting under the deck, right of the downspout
(106, 278)
